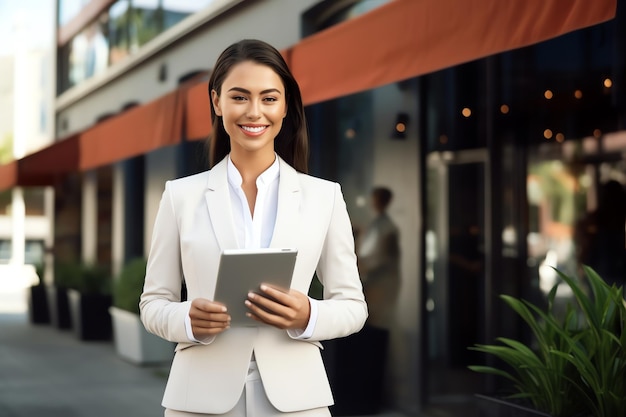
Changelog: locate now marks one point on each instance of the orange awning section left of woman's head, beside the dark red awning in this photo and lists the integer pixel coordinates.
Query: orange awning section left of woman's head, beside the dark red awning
(137, 131)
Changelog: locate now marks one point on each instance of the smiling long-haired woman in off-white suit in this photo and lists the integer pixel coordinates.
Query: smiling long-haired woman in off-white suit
(256, 194)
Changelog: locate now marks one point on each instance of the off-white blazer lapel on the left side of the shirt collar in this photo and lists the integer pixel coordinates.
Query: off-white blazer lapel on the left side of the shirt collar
(217, 198)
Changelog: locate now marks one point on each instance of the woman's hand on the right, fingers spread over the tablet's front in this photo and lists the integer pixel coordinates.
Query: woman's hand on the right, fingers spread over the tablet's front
(285, 310)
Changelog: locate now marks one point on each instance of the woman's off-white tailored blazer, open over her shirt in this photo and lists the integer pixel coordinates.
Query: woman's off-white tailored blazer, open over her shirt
(193, 225)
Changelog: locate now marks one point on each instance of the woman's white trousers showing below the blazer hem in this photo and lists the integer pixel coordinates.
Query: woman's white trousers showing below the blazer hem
(253, 403)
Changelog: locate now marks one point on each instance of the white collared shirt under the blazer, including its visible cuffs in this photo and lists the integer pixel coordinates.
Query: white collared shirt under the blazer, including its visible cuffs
(255, 229)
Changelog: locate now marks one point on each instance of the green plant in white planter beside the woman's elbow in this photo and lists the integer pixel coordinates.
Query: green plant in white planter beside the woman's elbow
(132, 342)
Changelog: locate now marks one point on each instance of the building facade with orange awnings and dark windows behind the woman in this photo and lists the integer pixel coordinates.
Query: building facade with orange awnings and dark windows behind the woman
(495, 130)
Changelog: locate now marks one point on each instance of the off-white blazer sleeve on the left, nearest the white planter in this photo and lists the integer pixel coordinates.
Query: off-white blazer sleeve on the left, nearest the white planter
(162, 312)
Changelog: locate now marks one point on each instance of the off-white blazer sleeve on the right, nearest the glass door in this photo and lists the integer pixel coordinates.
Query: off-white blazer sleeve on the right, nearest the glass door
(343, 310)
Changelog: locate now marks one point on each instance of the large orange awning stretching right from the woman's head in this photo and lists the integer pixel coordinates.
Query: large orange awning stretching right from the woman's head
(408, 38)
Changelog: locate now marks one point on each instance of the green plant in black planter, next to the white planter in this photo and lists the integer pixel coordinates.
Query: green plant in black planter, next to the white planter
(89, 301)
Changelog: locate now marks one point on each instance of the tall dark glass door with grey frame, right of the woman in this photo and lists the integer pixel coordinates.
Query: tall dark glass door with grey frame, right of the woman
(455, 275)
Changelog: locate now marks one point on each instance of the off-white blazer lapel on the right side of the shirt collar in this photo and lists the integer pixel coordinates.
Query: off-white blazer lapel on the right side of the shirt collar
(288, 213)
